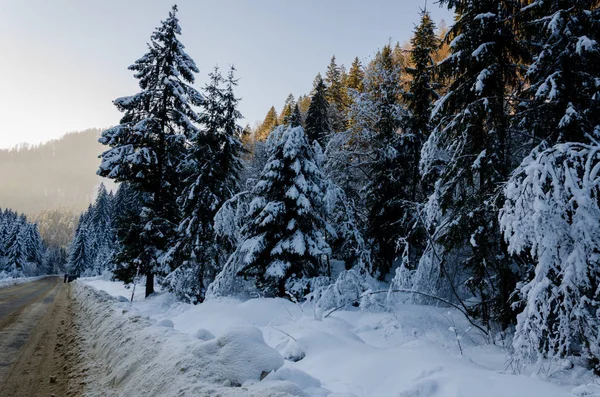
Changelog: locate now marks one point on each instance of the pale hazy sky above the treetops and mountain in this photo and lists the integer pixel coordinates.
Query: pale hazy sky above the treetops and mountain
(64, 61)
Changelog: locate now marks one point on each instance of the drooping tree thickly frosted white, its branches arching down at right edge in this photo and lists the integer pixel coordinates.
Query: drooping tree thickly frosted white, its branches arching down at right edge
(552, 212)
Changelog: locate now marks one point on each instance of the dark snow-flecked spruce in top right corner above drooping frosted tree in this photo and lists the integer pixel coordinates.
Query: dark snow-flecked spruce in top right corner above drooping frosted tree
(563, 100)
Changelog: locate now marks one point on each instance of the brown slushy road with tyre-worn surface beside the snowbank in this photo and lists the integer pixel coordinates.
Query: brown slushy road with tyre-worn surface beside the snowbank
(37, 340)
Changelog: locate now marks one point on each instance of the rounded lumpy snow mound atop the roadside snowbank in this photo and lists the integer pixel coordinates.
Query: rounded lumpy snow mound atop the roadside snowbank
(239, 356)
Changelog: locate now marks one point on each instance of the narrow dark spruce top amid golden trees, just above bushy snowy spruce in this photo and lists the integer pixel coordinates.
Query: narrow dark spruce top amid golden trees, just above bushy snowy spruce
(317, 119)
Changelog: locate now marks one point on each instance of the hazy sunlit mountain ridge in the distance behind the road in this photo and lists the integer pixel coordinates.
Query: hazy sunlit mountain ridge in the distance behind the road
(59, 174)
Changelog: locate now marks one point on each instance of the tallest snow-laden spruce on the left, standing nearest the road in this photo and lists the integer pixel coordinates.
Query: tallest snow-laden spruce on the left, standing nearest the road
(148, 144)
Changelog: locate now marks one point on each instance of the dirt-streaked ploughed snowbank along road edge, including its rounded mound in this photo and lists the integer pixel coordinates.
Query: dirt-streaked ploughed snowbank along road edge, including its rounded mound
(133, 355)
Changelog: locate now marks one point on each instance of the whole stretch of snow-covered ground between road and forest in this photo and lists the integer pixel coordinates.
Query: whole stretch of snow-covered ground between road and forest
(411, 352)
